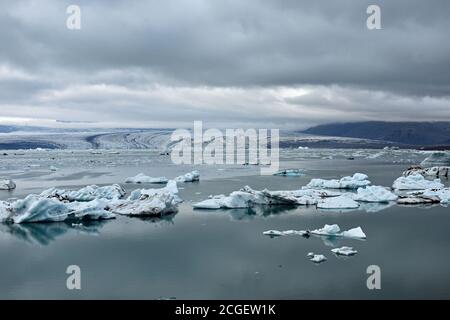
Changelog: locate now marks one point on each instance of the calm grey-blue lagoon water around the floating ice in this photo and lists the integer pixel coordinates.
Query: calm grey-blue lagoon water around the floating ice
(223, 254)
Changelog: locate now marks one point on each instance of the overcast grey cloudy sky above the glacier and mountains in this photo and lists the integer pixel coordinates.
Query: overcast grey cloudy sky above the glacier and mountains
(267, 63)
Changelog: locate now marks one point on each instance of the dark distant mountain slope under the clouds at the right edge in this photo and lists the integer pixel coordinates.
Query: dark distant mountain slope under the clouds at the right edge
(408, 133)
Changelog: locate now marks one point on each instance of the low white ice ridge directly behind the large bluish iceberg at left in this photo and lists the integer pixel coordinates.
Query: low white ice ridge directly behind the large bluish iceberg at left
(88, 193)
